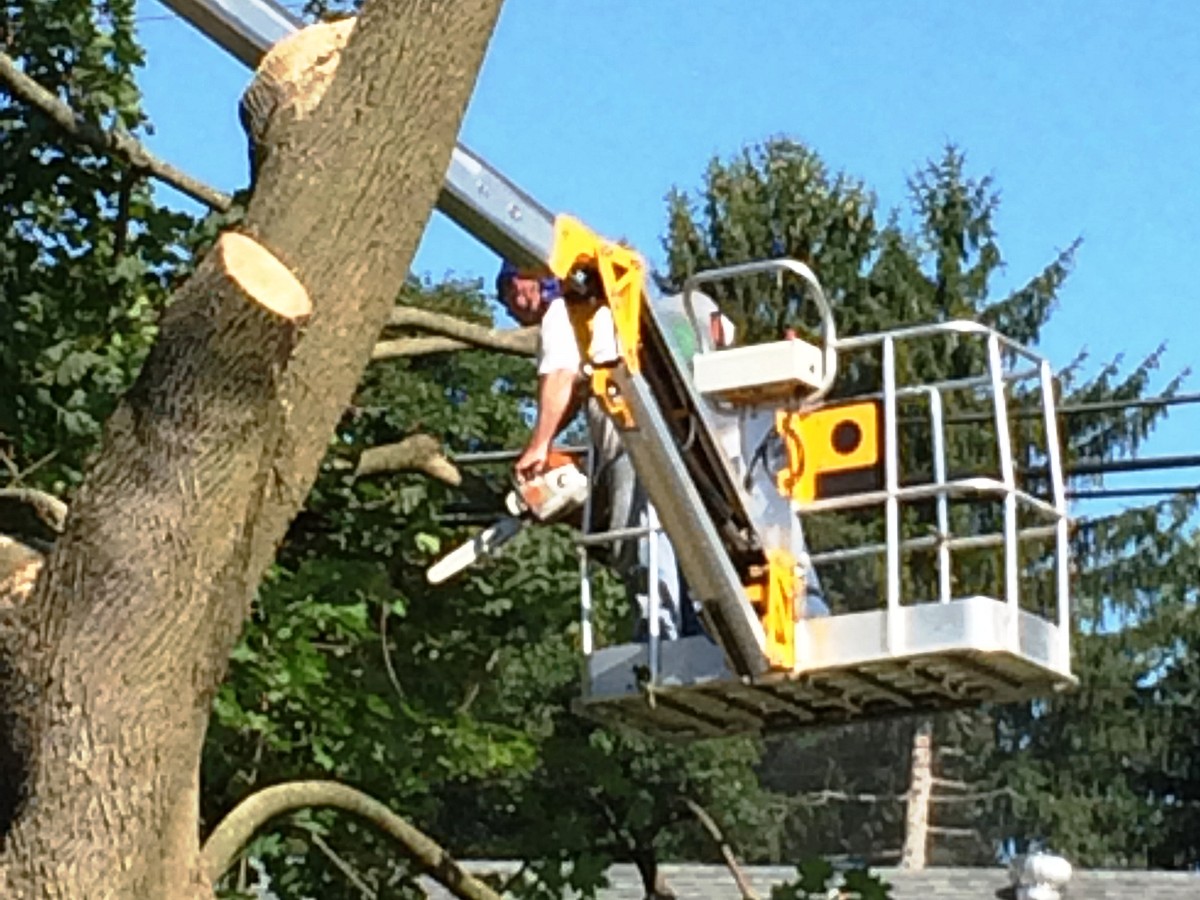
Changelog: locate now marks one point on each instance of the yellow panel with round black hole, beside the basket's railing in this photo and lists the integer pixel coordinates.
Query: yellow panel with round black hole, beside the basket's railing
(826, 441)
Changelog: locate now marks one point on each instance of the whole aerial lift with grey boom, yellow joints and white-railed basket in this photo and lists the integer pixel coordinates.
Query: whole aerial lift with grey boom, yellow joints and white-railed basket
(742, 449)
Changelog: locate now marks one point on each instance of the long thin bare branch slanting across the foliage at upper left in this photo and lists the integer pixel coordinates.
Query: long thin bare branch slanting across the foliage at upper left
(119, 145)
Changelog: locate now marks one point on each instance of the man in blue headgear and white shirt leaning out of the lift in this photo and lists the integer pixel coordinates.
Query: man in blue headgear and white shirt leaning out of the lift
(619, 500)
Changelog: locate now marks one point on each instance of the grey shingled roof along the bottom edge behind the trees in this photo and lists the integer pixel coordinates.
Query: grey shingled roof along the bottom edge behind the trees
(713, 883)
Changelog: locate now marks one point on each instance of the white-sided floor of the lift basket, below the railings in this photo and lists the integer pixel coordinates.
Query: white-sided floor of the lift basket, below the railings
(952, 656)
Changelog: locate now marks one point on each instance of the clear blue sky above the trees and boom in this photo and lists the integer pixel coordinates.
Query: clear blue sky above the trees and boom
(1085, 112)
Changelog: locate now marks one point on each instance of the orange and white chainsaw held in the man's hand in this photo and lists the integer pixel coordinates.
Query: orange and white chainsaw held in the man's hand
(551, 497)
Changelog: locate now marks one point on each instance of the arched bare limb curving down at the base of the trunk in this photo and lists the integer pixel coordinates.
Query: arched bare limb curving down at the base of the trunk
(236, 830)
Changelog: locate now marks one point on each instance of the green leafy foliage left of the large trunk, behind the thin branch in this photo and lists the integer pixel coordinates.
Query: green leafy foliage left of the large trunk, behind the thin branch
(86, 255)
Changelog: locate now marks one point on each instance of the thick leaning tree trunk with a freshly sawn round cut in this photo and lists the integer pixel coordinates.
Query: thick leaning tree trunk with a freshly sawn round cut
(109, 669)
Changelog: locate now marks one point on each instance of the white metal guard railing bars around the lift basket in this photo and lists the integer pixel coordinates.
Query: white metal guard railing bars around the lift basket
(1005, 365)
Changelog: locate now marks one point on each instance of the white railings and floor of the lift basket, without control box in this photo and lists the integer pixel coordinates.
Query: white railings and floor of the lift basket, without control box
(929, 653)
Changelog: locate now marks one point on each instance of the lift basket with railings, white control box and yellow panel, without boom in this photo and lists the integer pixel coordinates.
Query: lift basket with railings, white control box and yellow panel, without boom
(985, 620)
